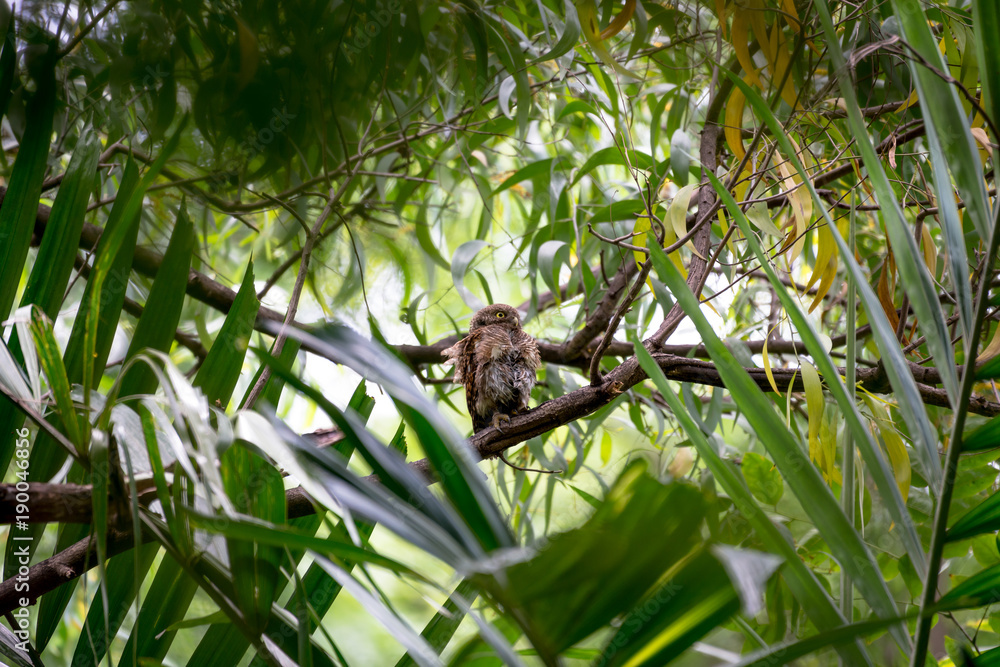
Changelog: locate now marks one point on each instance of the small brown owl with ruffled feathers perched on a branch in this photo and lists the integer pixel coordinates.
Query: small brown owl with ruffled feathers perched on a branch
(496, 362)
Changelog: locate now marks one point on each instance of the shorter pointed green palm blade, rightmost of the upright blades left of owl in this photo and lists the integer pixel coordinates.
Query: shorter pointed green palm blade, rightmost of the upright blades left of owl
(221, 370)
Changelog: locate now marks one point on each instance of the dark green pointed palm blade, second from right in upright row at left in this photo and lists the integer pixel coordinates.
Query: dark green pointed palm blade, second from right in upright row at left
(162, 311)
